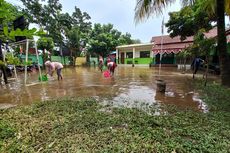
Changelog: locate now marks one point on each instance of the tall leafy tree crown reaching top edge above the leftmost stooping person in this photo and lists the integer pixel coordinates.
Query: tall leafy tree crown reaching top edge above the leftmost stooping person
(47, 14)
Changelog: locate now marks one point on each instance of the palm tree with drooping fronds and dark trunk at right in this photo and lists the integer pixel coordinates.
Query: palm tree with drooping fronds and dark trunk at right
(145, 8)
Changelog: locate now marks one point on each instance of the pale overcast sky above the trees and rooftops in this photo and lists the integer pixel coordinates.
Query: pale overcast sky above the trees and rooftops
(120, 13)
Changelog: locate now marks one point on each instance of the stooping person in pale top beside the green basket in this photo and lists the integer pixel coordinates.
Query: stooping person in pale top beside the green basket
(52, 66)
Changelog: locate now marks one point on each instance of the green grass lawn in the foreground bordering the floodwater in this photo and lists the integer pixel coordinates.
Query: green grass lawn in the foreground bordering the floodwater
(82, 125)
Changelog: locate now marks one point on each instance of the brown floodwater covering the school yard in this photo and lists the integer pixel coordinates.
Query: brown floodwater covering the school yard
(129, 87)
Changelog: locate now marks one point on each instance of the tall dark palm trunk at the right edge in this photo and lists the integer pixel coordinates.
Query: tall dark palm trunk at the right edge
(222, 44)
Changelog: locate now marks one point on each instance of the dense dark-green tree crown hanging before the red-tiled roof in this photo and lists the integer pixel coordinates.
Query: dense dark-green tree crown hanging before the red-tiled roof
(180, 22)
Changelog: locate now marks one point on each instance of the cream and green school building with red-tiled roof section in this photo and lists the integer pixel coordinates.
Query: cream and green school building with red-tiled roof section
(145, 54)
